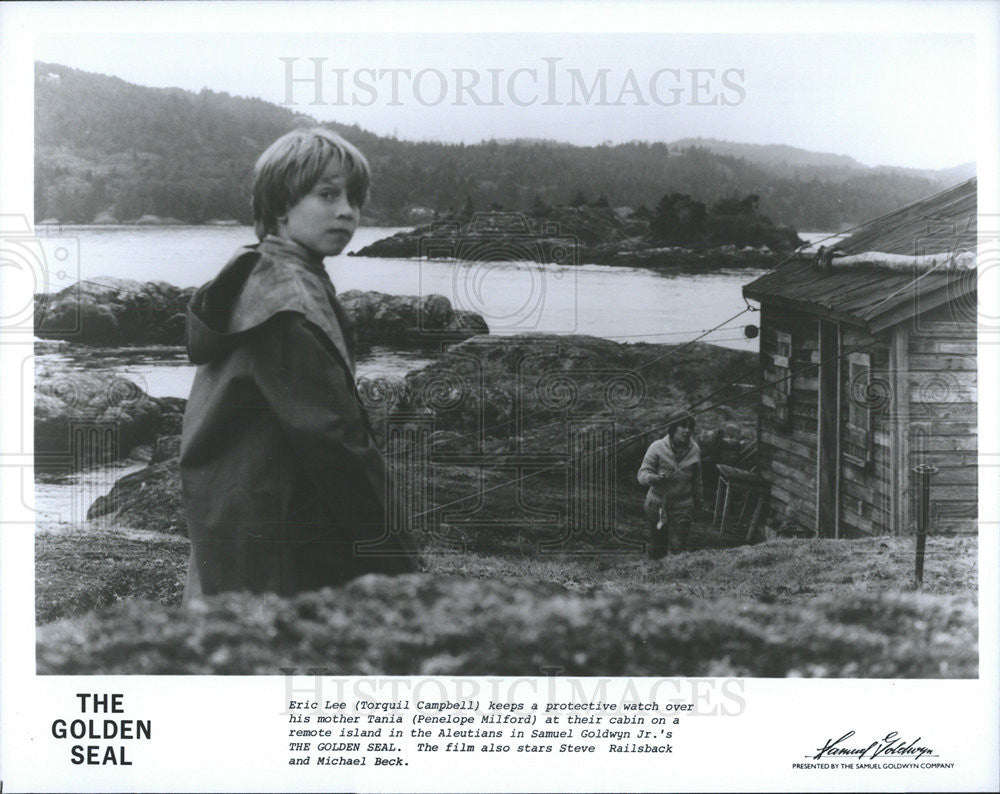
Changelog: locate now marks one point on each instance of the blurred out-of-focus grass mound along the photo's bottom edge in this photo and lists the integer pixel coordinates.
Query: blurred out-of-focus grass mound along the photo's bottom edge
(421, 625)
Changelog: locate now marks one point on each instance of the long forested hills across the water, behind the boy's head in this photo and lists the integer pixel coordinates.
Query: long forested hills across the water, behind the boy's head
(107, 149)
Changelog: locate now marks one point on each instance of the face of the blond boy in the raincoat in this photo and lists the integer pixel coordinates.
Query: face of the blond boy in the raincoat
(323, 220)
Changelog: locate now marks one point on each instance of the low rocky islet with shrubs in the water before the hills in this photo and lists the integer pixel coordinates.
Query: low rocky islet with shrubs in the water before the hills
(681, 233)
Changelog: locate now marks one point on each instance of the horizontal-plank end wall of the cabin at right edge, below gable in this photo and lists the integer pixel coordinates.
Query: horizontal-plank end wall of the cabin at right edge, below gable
(941, 383)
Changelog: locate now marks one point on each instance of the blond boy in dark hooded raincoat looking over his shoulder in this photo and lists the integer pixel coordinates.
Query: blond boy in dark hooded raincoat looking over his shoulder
(284, 490)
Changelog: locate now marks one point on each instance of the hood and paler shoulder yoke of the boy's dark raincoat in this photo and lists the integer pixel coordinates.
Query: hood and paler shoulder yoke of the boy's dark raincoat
(257, 283)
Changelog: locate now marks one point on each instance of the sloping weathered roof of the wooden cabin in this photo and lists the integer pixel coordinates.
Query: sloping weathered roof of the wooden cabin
(873, 296)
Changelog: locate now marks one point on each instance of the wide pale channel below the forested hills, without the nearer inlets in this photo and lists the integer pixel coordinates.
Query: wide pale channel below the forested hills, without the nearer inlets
(628, 304)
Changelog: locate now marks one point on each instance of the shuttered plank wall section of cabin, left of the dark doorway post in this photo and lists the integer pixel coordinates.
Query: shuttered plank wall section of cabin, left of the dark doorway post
(787, 448)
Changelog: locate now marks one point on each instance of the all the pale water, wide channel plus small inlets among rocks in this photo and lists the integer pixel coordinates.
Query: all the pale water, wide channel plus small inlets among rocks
(621, 303)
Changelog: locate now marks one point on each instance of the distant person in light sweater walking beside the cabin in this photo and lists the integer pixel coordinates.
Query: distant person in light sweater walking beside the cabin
(671, 469)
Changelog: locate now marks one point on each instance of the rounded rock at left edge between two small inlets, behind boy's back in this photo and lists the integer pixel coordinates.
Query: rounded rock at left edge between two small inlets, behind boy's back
(67, 404)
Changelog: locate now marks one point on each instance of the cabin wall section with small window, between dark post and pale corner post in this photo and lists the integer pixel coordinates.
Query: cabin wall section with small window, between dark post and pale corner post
(865, 475)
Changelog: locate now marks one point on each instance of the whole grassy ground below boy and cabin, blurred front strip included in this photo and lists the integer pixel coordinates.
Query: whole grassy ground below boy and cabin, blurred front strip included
(782, 608)
